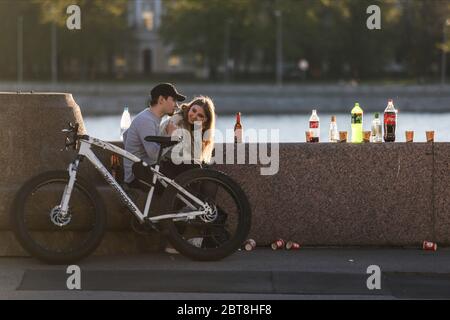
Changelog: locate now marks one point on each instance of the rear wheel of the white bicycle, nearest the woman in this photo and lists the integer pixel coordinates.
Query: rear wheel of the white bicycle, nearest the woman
(214, 237)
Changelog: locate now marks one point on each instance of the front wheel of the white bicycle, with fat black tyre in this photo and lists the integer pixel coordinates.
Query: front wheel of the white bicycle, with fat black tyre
(47, 234)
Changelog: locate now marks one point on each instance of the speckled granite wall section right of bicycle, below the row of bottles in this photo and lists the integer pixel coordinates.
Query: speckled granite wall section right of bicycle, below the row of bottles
(348, 195)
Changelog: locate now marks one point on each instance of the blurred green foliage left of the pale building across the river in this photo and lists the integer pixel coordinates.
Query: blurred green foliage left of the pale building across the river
(104, 33)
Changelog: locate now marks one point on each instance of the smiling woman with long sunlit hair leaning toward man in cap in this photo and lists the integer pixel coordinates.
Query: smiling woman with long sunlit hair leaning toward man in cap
(199, 113)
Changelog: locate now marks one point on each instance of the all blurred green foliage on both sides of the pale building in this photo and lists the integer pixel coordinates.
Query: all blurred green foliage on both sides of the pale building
(330, 34)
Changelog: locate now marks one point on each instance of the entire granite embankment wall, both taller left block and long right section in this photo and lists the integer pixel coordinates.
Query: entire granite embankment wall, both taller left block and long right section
(322, 195)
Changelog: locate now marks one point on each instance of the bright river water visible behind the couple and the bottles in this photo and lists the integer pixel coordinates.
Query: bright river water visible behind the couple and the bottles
(291, 128)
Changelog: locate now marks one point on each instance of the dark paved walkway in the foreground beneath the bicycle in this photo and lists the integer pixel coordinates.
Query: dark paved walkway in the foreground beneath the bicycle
(260, 274)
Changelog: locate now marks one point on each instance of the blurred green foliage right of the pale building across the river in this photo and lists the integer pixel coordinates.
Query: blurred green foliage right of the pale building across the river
(330, 34)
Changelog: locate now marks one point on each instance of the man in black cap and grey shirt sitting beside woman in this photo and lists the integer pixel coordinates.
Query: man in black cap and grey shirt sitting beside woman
(164, 98)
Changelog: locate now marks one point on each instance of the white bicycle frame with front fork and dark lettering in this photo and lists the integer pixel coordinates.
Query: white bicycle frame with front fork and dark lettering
(86, 152)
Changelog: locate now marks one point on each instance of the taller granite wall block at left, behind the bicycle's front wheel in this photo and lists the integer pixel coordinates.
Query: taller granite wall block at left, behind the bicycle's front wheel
(31, 142)
